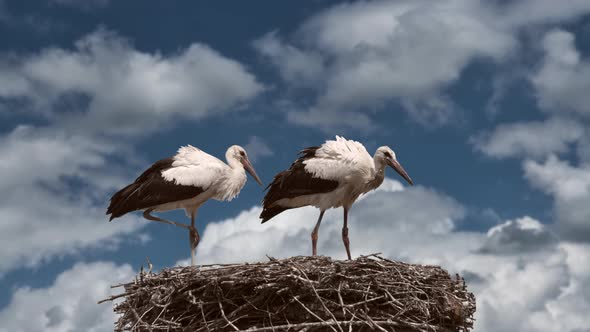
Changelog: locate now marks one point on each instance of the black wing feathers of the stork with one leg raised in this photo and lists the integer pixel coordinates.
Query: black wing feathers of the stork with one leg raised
(150, 189)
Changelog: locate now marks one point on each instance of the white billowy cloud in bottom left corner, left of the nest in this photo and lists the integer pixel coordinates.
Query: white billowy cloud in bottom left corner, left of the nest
(69, 304)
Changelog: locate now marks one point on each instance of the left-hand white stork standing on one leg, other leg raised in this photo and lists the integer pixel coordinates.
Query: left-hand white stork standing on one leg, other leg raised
(184, 181)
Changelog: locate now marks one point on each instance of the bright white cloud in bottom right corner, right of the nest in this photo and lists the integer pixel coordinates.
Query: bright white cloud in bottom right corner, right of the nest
(545, 292)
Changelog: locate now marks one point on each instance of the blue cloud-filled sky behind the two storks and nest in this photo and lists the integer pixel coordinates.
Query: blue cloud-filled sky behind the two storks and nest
(485, 103)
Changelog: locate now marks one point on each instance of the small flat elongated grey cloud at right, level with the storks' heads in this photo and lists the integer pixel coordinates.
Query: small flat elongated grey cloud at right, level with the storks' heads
(535, 139)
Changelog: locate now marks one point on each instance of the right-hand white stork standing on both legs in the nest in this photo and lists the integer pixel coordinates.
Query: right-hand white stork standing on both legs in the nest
(332, 175)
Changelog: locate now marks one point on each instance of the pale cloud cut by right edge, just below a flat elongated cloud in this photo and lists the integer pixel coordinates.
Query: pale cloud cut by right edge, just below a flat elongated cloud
(570, 188)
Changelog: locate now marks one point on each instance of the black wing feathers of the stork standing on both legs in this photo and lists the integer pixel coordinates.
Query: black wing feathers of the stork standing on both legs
(294, 182)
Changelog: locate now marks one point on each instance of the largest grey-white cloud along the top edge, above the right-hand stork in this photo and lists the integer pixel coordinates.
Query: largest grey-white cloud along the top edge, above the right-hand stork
(370, 56)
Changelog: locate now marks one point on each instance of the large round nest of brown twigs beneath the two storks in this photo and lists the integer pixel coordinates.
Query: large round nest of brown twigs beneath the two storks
(369, 293)
